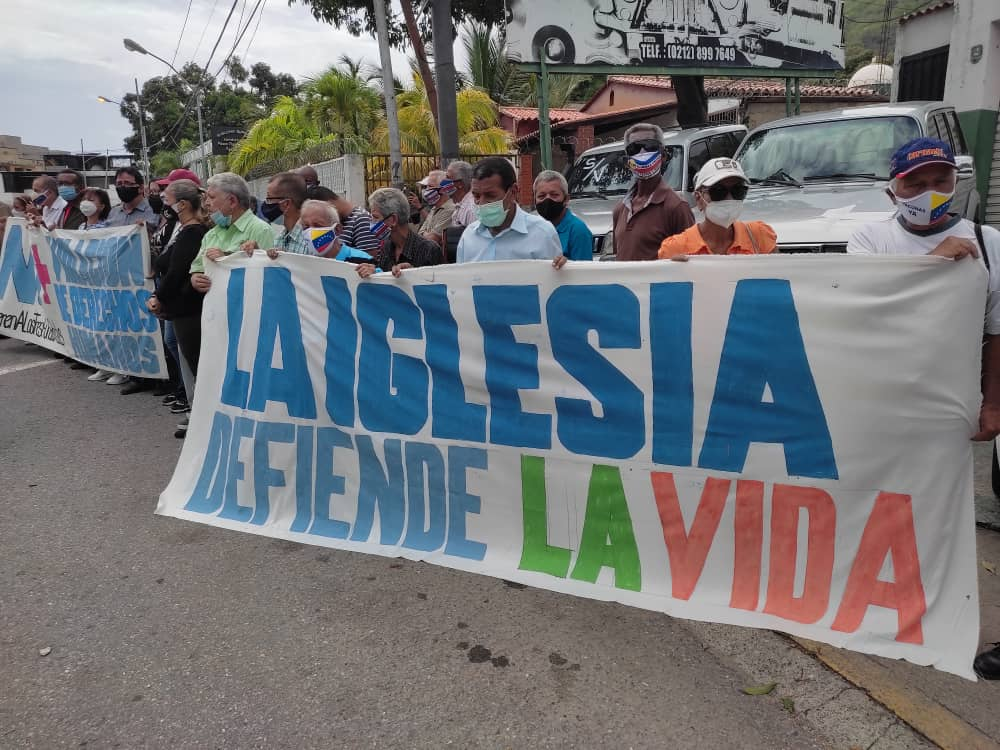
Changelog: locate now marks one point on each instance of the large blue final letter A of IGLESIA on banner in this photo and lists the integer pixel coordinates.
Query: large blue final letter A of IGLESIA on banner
(763, 347)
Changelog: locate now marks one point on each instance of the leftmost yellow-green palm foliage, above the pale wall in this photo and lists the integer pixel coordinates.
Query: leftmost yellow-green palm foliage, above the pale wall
(286, 130)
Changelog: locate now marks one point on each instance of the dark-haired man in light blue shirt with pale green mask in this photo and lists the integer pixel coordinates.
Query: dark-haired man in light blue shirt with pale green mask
(503, 230)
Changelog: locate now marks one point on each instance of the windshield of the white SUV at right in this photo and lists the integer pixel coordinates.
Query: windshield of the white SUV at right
(832, 150)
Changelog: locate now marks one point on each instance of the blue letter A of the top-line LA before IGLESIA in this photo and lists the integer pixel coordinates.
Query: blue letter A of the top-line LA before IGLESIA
(279, 319)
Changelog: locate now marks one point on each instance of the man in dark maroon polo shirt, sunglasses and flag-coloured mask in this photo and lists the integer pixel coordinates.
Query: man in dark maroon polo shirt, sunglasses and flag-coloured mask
(650, 211)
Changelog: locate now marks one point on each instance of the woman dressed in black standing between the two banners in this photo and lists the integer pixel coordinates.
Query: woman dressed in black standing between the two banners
(175, 299)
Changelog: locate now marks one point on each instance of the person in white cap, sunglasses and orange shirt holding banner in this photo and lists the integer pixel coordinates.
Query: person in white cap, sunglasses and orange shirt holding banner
(719, 188)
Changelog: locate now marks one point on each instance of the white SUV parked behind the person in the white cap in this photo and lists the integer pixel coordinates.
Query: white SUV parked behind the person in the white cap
(816, 178)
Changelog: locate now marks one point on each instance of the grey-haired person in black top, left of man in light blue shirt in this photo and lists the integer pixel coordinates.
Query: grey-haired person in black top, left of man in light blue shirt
(402, 247)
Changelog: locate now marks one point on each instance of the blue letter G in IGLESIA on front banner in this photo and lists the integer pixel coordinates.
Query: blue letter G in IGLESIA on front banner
(395, 385)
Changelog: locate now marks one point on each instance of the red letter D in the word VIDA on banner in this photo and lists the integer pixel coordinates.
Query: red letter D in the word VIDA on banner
(821, 530)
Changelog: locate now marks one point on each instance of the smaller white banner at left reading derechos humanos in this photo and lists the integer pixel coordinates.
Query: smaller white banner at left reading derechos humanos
(82, 294)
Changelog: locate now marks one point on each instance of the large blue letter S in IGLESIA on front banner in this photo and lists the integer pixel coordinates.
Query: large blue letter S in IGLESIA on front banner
(574, 311)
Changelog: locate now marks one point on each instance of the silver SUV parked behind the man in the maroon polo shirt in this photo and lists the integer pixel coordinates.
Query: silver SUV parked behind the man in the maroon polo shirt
(599, 178)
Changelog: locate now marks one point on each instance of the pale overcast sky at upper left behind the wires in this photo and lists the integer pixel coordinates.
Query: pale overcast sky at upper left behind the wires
(57, 58)
